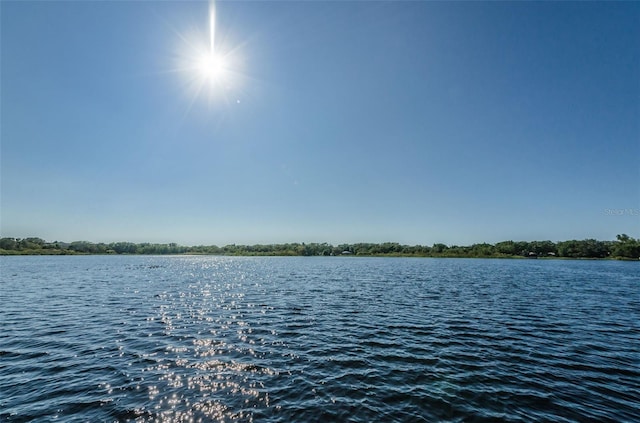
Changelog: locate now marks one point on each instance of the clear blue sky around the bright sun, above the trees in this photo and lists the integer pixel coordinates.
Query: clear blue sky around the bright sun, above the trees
(415, 122)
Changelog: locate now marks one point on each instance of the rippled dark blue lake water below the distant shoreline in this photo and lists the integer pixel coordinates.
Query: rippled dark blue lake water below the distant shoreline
(173, 339)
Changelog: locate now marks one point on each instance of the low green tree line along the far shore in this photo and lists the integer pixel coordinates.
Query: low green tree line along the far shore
(624, 247)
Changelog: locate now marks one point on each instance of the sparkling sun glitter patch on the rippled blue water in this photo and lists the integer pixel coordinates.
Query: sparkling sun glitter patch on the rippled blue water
(208, 368)
